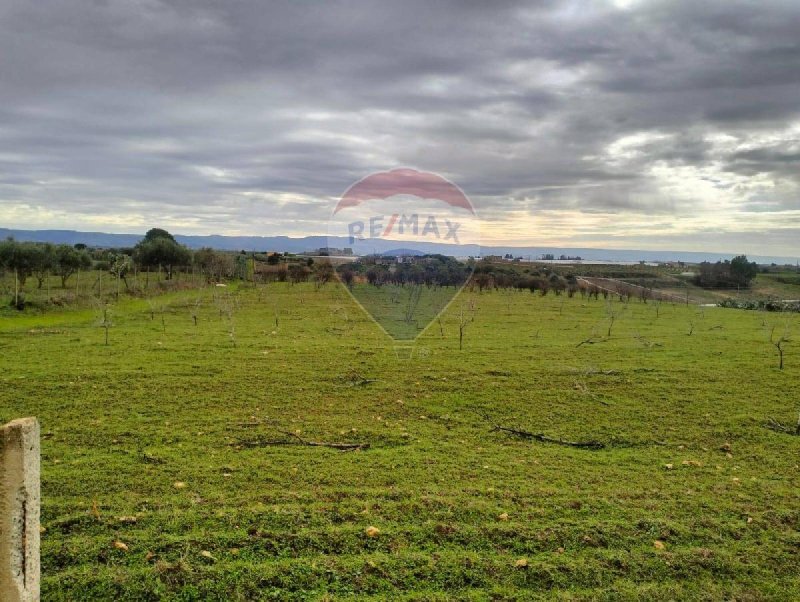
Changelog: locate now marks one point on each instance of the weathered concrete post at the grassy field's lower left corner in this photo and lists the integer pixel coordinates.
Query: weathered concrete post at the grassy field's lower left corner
(19, 511)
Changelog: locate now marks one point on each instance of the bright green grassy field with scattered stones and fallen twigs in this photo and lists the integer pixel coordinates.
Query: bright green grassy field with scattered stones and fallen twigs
(164, 476)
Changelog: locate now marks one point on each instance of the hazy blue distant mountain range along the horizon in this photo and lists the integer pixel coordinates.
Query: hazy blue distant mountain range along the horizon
(310, 243)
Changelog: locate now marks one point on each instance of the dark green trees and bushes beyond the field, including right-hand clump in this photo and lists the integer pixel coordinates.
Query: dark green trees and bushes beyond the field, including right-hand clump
(159, 249)
